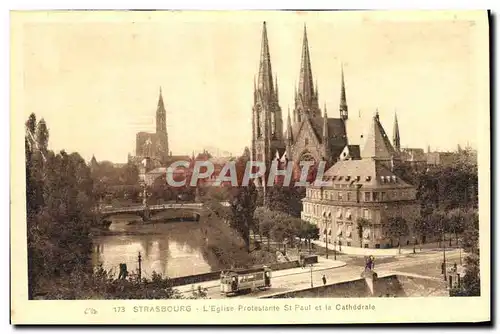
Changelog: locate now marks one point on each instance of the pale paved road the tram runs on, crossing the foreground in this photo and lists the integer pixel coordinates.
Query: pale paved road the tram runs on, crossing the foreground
(302, 280)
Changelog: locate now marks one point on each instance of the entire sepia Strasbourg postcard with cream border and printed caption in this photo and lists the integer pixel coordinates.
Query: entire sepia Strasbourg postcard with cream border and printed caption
(238, 167)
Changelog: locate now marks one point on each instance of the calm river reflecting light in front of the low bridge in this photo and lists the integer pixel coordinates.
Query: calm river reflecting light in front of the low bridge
(173, 249)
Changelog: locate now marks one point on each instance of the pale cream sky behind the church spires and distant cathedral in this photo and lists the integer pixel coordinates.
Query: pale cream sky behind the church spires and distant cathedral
(95, 77)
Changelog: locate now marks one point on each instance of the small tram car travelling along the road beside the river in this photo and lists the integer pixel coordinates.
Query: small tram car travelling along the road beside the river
(245, 280)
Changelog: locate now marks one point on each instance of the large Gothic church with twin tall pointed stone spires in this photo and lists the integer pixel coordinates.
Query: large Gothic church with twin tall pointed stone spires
(310, 135)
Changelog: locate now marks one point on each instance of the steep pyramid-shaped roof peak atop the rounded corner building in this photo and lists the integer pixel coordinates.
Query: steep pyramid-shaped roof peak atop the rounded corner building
(377, 144)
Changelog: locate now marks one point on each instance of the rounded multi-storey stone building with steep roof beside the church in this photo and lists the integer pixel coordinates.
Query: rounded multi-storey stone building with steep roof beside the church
(366, 188)
